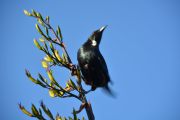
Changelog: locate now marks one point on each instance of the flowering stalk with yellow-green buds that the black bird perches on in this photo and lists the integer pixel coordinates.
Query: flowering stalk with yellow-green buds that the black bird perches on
(55, 59)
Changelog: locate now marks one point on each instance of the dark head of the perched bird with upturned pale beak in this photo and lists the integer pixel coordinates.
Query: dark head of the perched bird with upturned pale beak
(95, 38)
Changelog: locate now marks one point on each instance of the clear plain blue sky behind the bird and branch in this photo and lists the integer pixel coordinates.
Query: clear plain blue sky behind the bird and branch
(141, 46)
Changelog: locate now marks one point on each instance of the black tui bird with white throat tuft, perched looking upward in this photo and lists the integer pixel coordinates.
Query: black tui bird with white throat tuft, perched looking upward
(92, 64)
